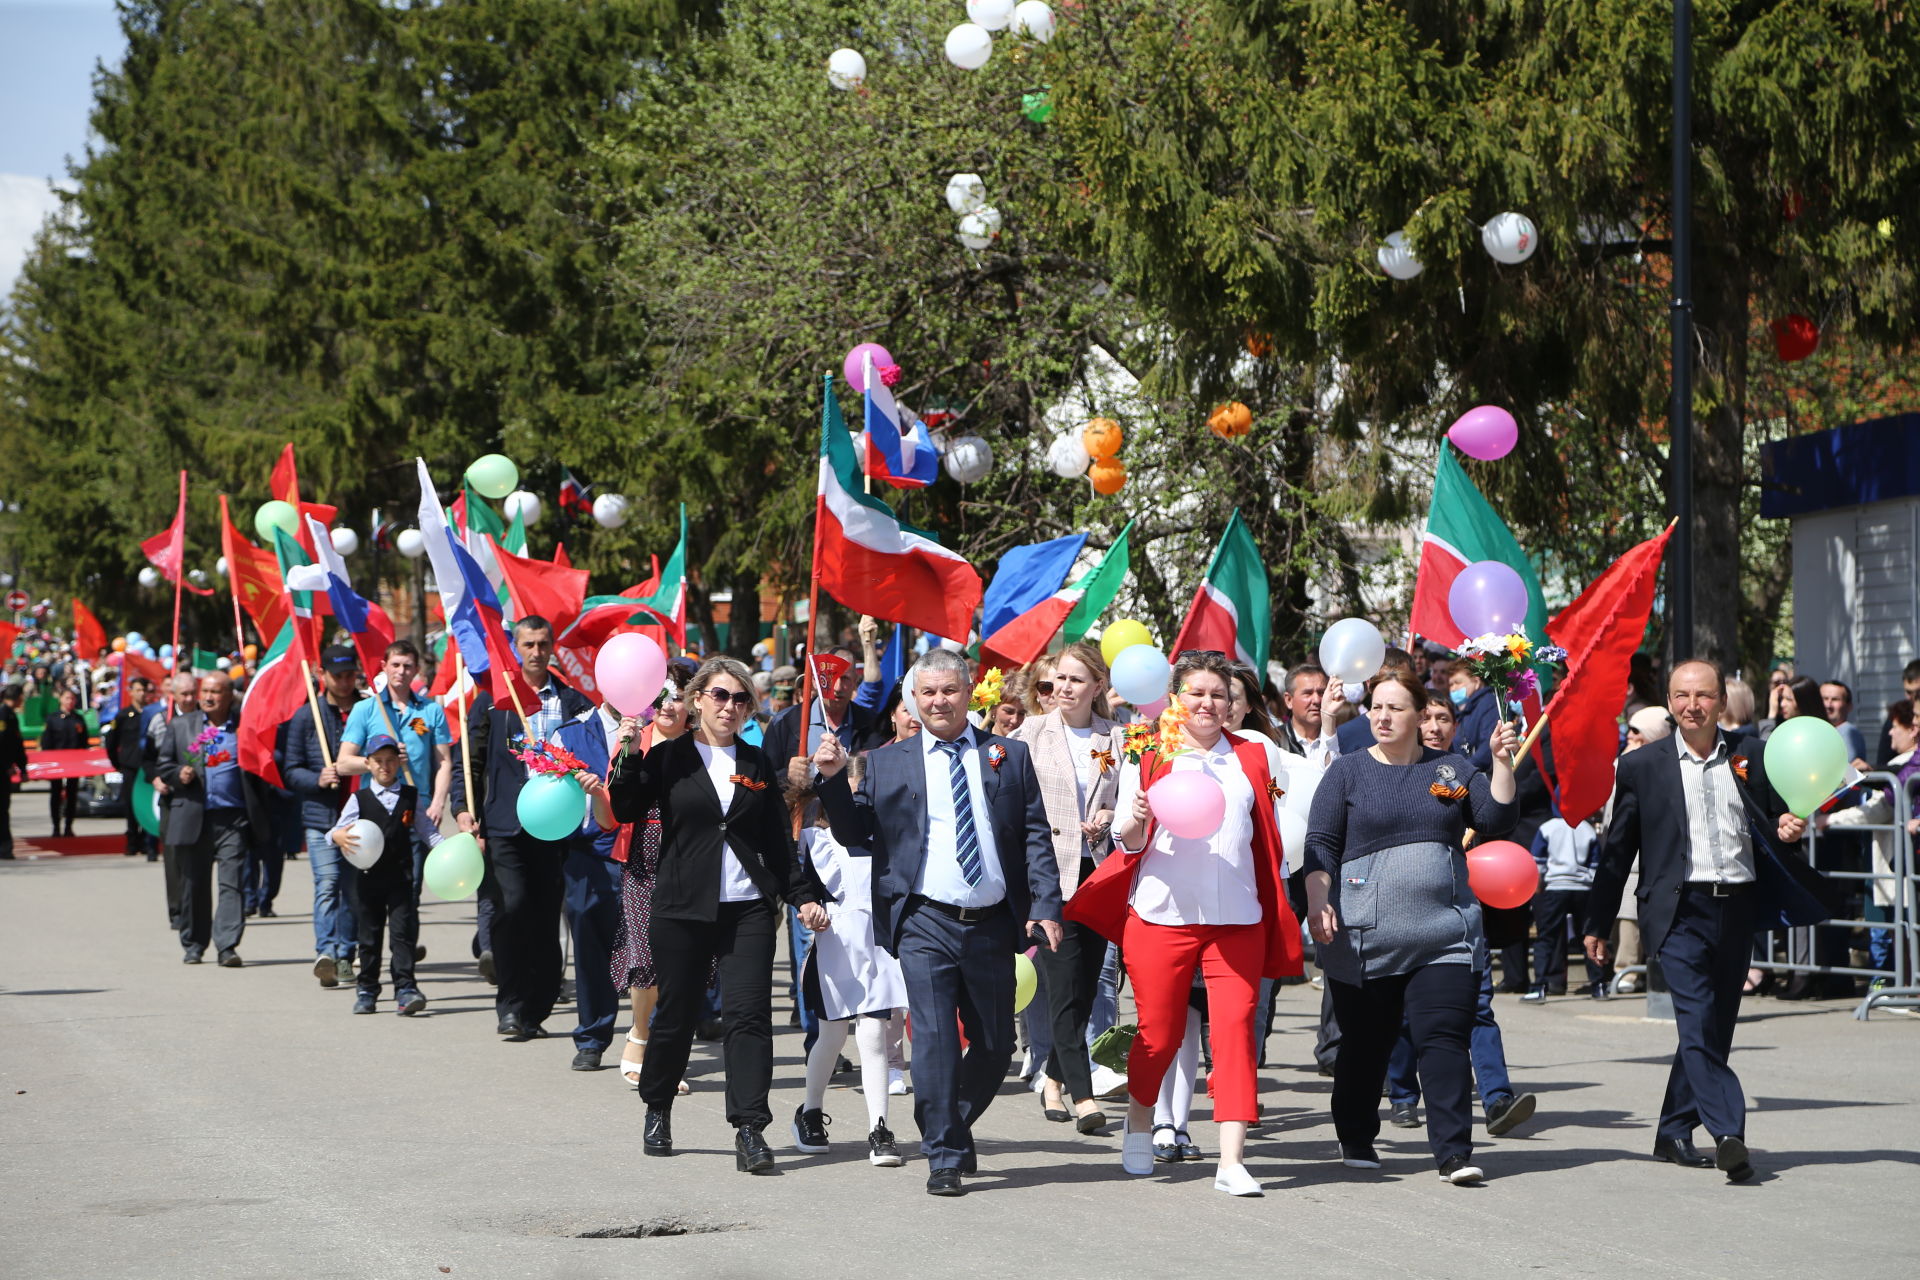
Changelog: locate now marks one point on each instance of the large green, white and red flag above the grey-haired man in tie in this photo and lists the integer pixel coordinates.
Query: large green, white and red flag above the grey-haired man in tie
(873, 563)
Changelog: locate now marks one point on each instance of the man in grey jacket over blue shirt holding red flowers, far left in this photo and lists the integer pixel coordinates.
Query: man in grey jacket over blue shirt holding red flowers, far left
(206, 820)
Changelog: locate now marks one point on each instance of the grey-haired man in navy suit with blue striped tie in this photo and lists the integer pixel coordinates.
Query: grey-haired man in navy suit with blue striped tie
(963, 872)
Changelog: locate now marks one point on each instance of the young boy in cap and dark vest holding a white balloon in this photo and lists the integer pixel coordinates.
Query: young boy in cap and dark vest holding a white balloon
(383, 893)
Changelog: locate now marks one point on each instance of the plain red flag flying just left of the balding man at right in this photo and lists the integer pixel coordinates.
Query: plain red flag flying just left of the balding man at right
(1600, 634)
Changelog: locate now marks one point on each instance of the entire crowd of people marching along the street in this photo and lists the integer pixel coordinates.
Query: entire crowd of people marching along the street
(913, 841)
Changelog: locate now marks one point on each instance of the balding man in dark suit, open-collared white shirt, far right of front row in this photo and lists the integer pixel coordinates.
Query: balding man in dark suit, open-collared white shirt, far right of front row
(1700, 820)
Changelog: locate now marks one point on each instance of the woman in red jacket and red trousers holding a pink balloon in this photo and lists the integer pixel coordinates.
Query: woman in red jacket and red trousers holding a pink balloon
(1212, 903)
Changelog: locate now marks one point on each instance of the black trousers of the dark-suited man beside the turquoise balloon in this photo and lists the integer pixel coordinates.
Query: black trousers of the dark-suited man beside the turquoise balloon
(529, 888)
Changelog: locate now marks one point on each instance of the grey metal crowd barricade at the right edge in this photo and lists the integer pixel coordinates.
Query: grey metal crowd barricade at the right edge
(1898, 987)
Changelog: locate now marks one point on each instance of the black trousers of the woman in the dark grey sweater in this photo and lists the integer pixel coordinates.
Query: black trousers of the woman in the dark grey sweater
(1437, 1005)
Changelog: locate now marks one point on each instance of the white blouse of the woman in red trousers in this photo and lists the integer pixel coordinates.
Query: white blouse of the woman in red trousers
(1199, 882)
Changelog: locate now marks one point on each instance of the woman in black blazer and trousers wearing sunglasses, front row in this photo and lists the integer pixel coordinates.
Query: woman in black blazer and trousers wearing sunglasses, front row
(727, 857)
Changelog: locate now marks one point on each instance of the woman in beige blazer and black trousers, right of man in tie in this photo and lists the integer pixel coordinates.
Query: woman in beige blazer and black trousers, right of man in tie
(1074, 759)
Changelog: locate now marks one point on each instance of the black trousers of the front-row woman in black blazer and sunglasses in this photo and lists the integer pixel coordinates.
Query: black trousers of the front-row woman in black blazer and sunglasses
(742, 941)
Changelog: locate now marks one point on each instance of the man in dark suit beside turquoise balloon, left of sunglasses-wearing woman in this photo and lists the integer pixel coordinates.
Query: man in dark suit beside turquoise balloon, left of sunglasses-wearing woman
(525, 876)
